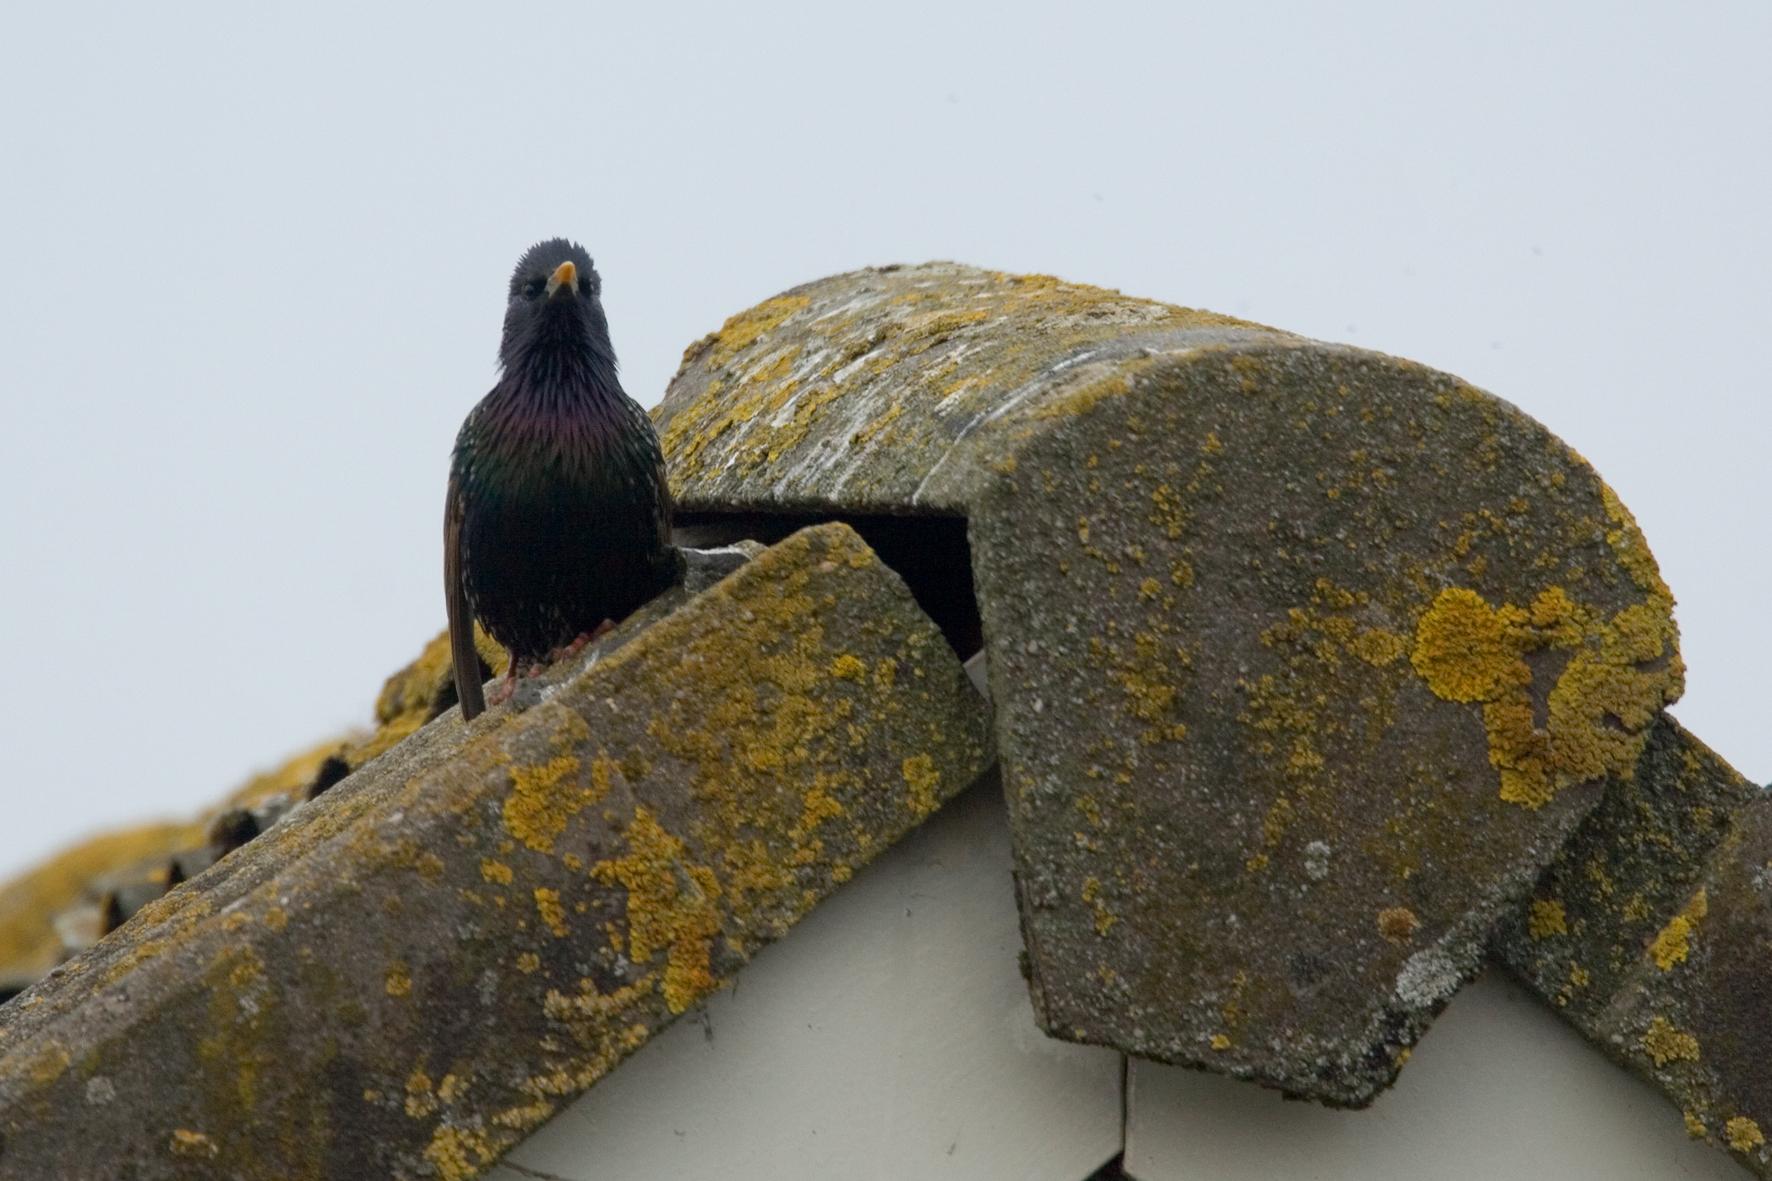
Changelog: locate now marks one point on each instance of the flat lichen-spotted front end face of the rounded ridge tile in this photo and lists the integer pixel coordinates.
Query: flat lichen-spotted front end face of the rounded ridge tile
(1355, 646)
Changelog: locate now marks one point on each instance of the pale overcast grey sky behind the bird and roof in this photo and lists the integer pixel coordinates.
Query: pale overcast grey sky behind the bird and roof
(253, 267)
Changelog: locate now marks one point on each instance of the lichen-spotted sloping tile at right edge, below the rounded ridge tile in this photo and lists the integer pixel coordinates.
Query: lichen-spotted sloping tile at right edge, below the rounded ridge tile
(1652, 934)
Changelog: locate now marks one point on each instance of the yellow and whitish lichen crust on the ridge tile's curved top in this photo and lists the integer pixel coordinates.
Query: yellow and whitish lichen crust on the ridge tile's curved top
(954, 350)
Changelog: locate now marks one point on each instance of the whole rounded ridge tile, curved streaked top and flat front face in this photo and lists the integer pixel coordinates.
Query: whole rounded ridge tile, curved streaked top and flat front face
(1305, 661)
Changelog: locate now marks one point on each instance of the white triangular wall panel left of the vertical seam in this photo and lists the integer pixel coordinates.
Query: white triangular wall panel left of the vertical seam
(889, 1036)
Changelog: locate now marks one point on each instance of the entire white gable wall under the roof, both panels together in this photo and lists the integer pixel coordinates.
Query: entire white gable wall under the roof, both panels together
(890, 1038)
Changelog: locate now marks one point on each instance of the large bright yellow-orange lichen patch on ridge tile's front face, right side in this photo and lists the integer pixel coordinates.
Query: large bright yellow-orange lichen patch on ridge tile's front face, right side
(1619, 675)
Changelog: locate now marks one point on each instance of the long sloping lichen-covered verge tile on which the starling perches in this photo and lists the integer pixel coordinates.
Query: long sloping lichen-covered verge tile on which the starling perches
(424, 964)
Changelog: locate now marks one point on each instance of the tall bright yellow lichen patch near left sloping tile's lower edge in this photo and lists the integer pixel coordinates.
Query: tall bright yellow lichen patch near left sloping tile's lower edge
(671, 909)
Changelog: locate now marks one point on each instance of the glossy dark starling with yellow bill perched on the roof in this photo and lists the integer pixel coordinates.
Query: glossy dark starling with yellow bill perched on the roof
(559, 515)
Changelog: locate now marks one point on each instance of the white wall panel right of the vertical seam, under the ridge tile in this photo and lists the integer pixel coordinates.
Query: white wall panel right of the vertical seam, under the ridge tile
(1498, 1091)
